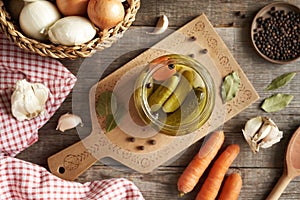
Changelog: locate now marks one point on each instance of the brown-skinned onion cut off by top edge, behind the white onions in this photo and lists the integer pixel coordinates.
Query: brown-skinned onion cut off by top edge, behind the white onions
(72, 7)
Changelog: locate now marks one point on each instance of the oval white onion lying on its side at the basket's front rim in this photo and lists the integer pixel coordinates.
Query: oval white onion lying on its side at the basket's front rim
(71, 30)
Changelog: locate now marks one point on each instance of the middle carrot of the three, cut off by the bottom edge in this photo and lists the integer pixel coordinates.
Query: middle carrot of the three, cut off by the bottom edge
(212, 183)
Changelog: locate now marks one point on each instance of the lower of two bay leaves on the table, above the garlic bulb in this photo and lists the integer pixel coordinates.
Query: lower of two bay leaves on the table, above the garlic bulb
(276, 102)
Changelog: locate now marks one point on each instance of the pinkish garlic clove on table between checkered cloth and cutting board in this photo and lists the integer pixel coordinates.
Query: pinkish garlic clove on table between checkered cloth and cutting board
(68, 121)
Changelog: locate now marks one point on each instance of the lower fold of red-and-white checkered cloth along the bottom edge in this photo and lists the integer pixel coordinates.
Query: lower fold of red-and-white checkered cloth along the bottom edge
(20, 180)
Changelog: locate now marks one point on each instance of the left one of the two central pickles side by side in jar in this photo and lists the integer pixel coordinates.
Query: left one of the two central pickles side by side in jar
(163, 92)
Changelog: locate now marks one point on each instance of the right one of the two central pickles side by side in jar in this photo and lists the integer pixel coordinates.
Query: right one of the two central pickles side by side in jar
(180, 93)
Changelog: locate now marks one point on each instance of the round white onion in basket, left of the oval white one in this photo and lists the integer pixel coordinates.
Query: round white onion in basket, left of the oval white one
(36, 17)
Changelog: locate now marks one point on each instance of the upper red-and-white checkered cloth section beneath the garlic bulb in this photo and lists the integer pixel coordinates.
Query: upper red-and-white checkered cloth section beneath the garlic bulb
(16, 64)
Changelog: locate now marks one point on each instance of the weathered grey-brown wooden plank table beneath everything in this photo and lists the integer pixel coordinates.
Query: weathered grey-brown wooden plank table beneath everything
(260, 171)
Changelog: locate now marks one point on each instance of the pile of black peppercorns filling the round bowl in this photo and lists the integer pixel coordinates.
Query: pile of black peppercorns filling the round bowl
(278, 36)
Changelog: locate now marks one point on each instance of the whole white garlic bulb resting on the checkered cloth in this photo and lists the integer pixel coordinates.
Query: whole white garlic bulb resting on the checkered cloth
(28, 100)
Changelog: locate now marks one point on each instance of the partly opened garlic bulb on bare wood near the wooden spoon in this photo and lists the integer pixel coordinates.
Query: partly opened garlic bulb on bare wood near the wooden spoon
(261, 132)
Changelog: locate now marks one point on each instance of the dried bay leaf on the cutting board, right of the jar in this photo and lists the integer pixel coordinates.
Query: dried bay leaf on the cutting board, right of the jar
(230, 86)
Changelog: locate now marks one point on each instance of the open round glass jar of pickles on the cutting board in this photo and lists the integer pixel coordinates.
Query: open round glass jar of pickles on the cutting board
(175, 94)
